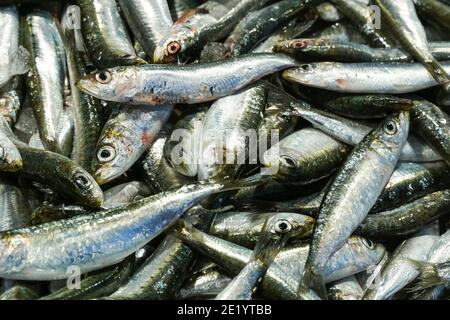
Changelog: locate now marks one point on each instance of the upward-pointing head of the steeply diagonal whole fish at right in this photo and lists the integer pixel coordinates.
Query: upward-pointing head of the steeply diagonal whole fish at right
(393, 131)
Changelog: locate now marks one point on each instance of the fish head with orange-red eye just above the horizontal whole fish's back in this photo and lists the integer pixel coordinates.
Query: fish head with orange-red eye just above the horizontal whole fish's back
(181, 39)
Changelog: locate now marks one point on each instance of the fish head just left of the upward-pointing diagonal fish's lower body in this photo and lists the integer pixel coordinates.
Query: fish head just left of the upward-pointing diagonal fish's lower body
(293, 224)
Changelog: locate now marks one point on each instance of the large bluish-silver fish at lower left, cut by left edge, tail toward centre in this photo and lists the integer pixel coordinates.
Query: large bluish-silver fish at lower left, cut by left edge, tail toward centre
(99, 230)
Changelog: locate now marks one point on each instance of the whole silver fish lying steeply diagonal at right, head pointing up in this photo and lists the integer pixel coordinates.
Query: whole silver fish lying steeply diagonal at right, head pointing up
(379, 150)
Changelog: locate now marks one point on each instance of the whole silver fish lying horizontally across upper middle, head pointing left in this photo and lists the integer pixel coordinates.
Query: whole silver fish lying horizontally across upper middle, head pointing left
(188, 84)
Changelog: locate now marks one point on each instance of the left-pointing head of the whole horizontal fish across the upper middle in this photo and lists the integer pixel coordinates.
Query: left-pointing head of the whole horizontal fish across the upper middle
(115, 84)
